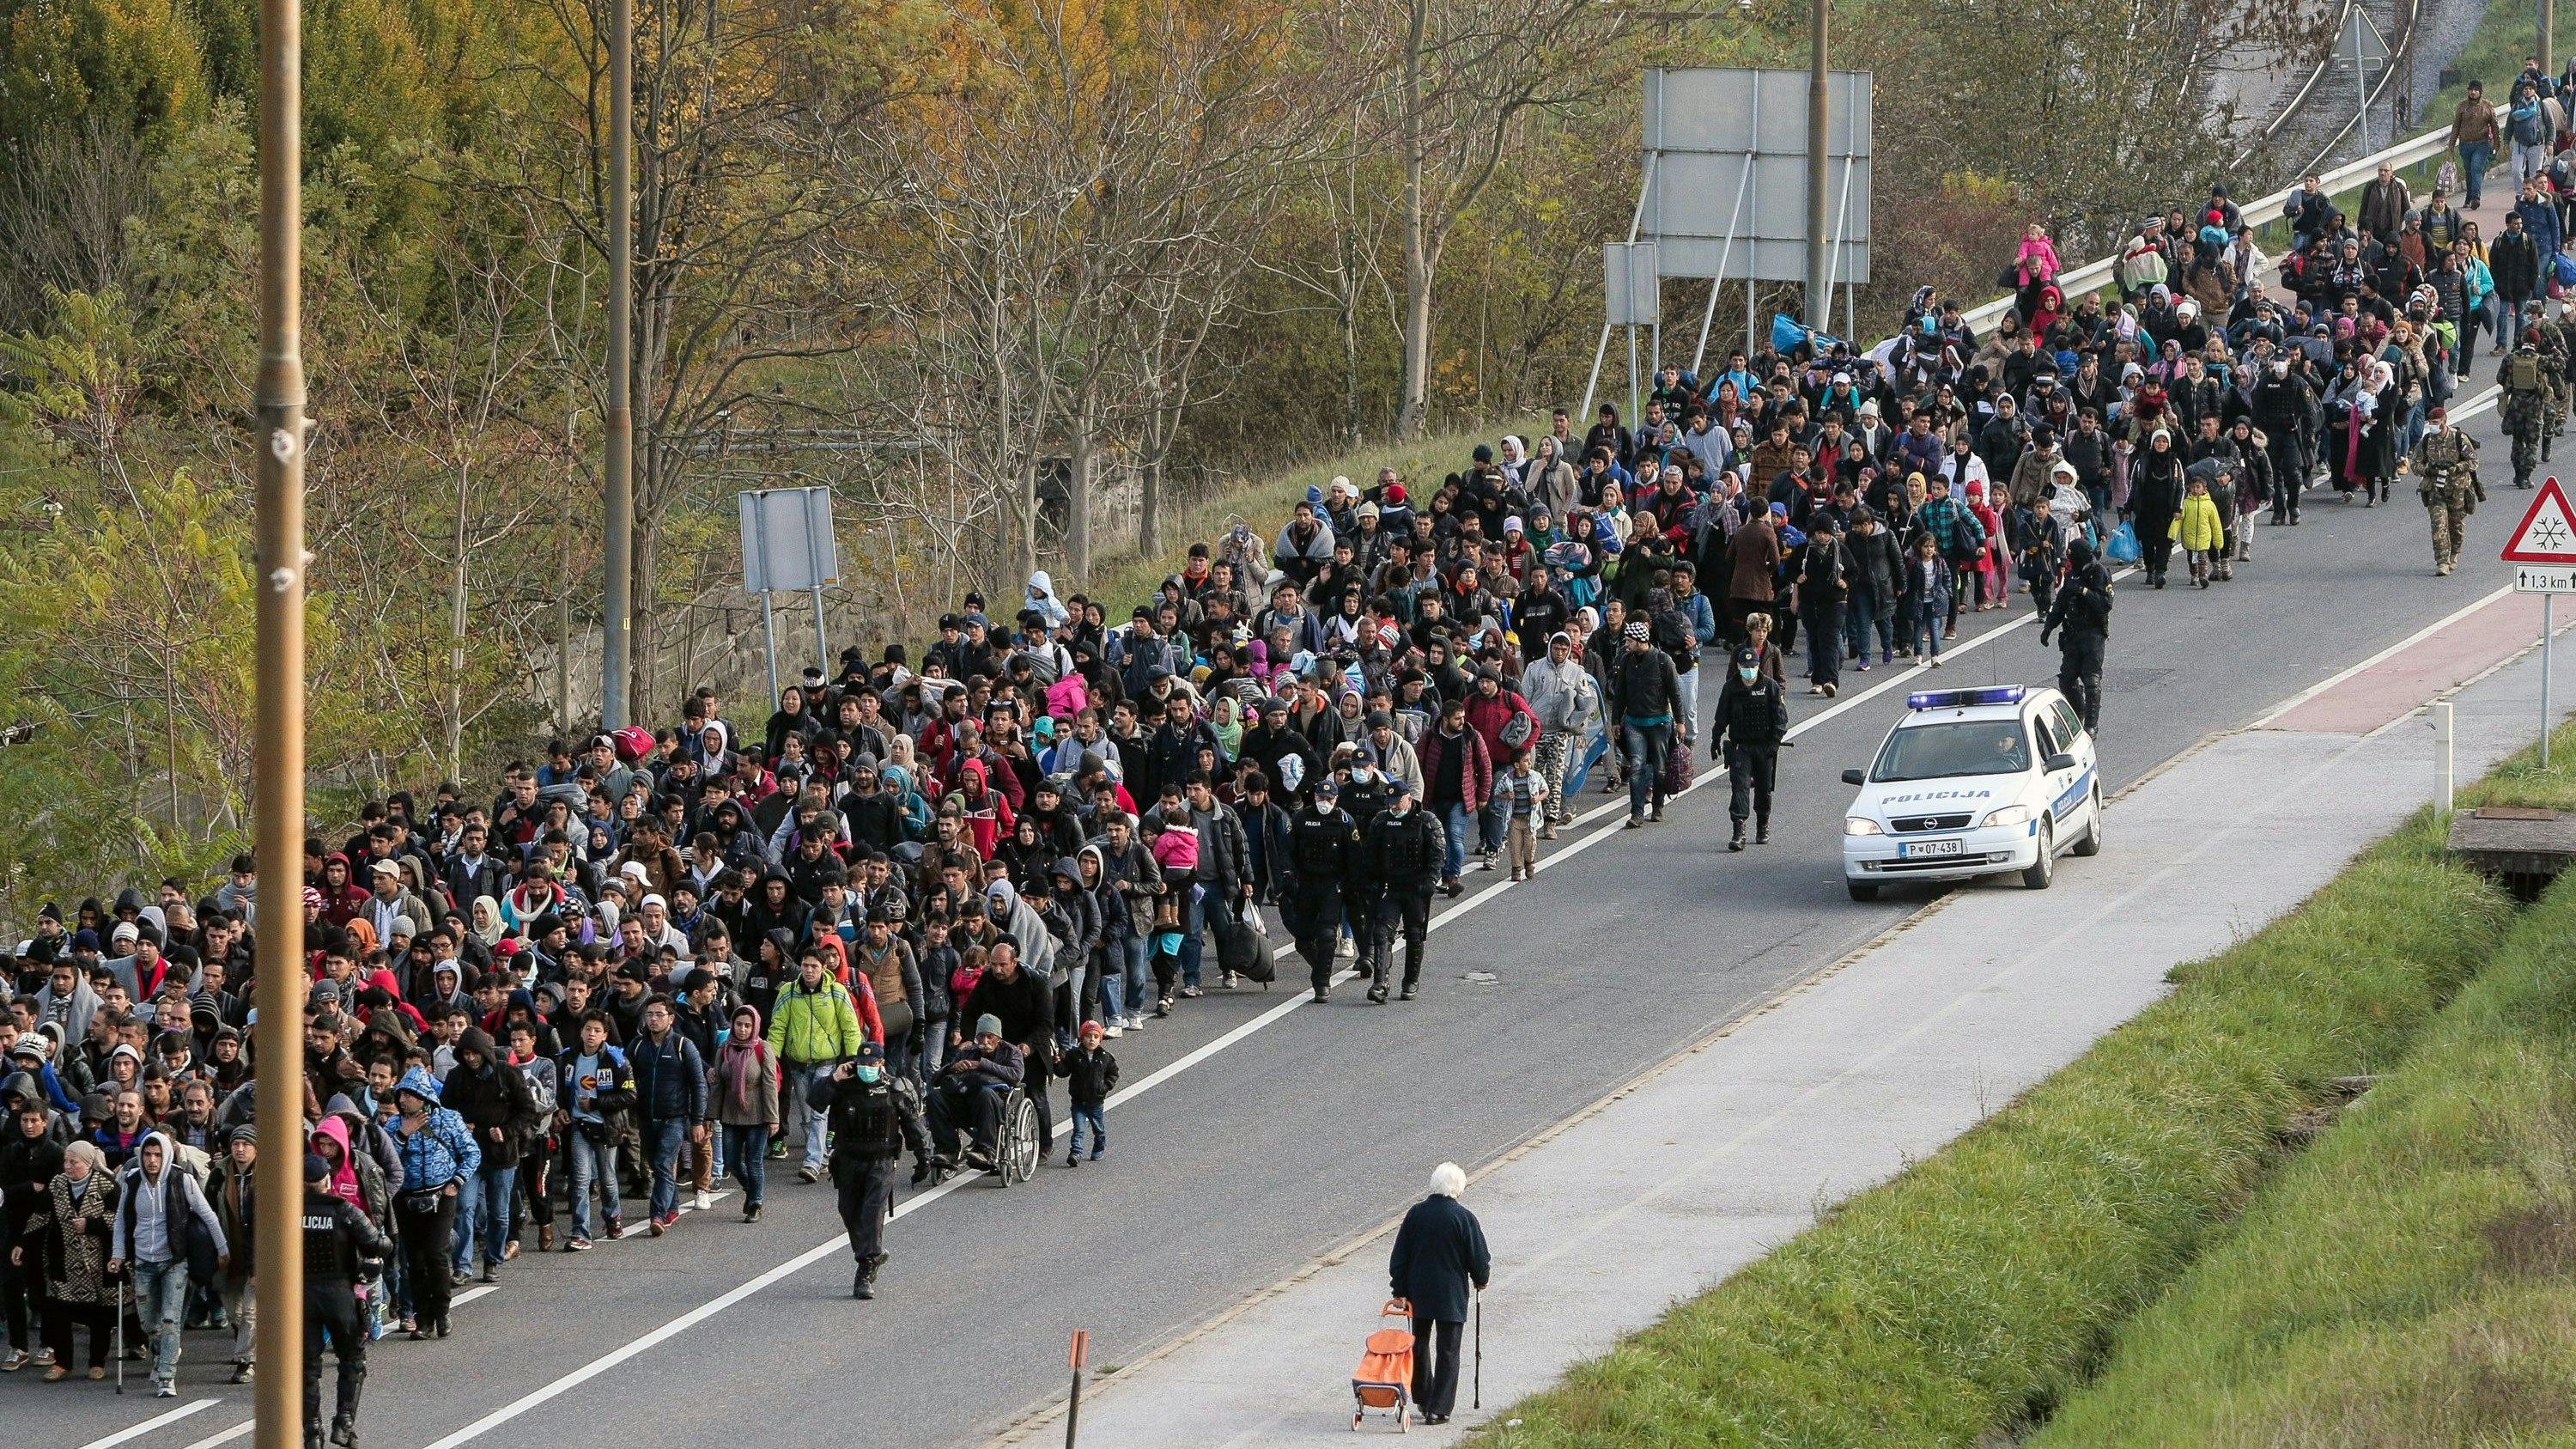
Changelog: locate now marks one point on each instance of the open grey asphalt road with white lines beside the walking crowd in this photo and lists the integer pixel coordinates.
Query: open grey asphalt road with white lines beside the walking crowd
(1312, 1125)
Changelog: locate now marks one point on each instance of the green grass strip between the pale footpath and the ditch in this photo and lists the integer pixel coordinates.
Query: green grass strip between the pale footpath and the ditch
(1980, 1288)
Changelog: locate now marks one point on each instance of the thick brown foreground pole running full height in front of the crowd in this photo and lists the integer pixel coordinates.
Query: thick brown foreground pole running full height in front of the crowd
(279, 734)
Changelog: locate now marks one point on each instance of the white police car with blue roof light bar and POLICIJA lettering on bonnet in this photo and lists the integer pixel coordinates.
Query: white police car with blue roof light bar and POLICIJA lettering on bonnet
(1975, 783)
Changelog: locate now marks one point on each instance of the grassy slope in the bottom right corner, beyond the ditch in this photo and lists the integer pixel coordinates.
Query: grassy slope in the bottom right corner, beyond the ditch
(2410, 1280)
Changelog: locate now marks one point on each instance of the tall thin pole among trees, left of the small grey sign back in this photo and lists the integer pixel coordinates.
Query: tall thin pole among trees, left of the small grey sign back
(622, 290)
